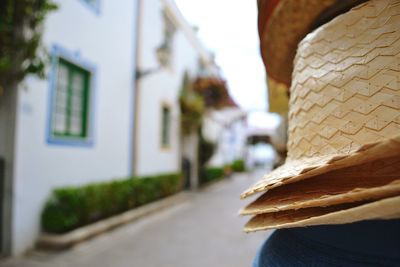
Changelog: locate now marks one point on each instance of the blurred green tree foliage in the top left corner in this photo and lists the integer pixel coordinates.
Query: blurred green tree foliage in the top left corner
(21, 27)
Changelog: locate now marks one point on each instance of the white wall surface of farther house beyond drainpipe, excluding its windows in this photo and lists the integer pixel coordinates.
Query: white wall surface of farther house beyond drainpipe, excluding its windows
(162, 86)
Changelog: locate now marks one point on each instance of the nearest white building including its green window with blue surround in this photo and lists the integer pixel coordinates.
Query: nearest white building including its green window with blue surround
(76, 126)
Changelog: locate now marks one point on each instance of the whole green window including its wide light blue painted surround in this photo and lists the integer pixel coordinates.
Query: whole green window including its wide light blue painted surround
(71, 99)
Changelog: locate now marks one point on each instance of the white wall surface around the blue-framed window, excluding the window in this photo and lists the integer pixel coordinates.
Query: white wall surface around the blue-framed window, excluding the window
(106, 40)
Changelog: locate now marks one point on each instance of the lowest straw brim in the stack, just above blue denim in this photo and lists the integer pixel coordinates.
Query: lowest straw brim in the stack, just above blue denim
(387, 208)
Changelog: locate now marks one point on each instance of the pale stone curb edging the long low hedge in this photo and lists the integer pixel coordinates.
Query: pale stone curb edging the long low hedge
(63, 241)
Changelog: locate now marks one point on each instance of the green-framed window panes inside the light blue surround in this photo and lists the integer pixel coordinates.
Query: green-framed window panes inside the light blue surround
(70, 103)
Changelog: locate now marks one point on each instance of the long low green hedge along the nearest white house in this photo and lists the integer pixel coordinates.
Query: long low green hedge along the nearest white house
(71, 207)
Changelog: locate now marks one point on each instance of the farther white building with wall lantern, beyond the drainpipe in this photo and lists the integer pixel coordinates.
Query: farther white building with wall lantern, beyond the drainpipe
(168, 47)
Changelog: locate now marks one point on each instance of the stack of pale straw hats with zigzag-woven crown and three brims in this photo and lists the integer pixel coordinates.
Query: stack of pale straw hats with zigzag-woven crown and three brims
(343, 161)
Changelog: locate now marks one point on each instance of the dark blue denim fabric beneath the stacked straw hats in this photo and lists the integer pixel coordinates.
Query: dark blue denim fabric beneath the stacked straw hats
(362, 244)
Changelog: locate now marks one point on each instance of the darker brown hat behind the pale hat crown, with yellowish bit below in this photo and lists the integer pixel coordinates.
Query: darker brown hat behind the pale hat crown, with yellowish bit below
(282, 24)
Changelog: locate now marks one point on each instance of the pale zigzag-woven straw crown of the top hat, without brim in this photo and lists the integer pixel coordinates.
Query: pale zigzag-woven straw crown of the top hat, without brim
(345, 90)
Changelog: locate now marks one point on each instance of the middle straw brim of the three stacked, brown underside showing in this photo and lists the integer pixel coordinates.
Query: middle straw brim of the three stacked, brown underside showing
(367, 181)
